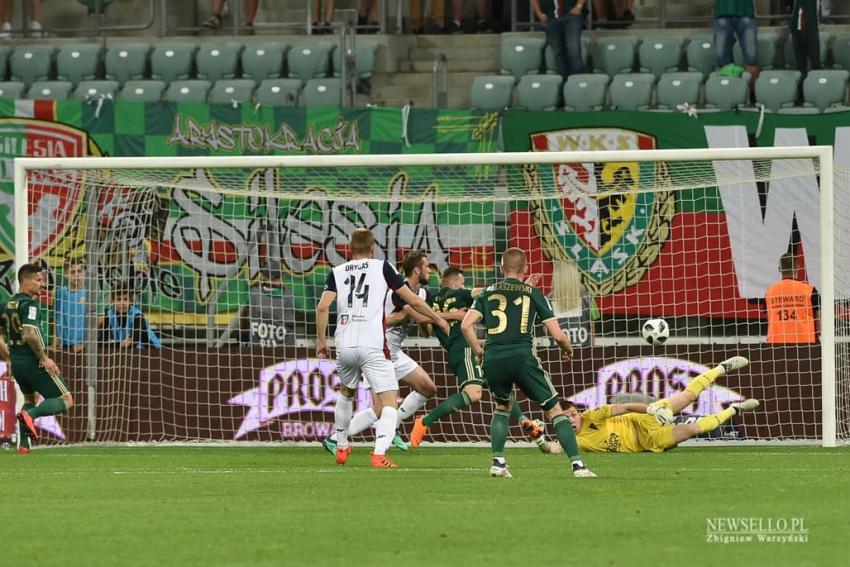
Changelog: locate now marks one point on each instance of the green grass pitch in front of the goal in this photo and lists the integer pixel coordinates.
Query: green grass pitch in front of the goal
(272, 505)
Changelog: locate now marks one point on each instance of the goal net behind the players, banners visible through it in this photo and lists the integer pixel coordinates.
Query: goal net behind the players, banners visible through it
(182, 291)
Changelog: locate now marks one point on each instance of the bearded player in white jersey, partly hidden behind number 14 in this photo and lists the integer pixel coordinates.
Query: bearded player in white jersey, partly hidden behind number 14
(417, 272)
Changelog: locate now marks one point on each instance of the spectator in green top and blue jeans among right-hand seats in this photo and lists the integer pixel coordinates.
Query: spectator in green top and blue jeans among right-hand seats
(736, 18)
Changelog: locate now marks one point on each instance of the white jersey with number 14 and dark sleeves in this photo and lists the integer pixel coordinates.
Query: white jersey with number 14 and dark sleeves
(361, 287)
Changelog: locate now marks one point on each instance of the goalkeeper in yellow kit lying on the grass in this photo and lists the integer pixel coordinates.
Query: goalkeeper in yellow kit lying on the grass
(638, 427)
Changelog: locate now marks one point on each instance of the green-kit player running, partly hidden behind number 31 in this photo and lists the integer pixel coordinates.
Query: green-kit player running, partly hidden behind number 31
(453, 301)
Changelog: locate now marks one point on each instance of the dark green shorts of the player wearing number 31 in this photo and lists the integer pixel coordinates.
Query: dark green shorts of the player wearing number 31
(526, 372)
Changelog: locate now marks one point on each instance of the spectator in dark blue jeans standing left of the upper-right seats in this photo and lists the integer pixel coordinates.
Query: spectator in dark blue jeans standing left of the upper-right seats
(563, 22)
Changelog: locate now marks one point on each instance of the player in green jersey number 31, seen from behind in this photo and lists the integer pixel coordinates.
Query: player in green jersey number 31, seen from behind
(509, 310)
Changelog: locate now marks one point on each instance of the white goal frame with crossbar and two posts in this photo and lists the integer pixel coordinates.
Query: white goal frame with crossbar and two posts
(824, 155)
